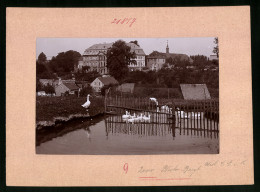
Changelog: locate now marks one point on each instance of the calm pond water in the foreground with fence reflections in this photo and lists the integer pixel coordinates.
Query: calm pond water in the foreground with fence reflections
(111, 136)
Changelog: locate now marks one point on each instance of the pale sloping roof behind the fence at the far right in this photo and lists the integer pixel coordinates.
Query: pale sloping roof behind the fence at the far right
(195, 91)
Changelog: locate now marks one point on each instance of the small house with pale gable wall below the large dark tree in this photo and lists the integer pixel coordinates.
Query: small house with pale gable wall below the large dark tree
(100, 82)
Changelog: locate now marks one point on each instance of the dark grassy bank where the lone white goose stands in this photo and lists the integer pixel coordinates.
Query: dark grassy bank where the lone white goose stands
(47, 108)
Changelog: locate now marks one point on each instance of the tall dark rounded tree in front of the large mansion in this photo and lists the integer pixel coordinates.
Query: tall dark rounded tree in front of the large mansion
(119, 56)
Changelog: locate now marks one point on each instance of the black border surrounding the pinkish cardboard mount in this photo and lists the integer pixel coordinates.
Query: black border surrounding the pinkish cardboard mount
(255, 59)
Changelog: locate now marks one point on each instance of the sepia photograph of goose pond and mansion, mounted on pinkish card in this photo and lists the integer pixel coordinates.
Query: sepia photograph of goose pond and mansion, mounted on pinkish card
(127, 96)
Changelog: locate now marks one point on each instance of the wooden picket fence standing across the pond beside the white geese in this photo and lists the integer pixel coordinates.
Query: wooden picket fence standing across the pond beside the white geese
(202, 114)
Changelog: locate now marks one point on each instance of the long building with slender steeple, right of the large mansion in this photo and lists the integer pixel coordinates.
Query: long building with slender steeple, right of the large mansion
(156, 59)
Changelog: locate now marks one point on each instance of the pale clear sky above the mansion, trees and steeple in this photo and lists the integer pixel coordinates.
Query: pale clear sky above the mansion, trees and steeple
(190, 46)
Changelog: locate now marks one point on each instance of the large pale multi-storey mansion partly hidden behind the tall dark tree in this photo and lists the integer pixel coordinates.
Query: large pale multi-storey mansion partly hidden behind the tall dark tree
(94, 58)
